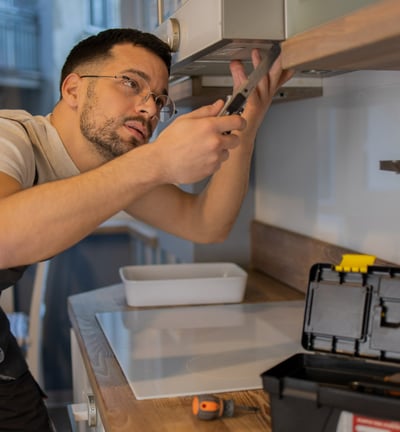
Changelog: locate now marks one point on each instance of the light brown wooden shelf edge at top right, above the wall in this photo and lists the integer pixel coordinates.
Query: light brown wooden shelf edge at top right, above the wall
(366, 39)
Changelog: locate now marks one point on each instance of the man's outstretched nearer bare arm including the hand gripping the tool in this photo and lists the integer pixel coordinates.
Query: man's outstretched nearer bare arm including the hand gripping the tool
(44, 220)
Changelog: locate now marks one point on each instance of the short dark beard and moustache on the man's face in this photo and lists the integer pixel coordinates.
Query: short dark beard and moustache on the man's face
(104, 137)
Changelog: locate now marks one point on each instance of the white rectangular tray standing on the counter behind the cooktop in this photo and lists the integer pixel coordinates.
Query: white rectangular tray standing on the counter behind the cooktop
(183, 284)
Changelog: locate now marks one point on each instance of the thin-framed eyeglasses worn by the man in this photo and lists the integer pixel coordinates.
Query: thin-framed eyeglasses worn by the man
(138, 86)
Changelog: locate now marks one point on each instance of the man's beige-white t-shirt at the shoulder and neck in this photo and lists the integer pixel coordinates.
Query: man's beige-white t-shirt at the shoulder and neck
(29, 144)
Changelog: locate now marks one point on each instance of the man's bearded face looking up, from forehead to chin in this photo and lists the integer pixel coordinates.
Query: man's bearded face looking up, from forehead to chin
(115, 117)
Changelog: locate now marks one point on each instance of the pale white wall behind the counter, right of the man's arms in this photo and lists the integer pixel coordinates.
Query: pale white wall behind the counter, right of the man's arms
(317, 164)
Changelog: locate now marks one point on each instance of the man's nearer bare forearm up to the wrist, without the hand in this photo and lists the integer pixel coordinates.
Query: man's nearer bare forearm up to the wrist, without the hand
(44, 220)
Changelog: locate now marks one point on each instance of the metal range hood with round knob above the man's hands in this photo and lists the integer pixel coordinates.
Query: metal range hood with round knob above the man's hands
(205, 35)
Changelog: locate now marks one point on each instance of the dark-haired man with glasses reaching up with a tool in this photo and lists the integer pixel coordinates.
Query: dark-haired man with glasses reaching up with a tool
(87, 161)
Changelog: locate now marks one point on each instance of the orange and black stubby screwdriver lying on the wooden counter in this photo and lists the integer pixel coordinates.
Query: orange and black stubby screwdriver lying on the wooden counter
(210, 407)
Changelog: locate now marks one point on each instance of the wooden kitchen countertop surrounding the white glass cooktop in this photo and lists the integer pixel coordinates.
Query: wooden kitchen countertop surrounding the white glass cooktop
(119, 409)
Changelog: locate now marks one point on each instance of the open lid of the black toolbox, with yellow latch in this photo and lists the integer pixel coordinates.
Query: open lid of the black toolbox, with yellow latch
(353, 309)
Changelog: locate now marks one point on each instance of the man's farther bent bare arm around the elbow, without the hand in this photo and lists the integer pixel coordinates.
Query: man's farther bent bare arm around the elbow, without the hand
(206, 217)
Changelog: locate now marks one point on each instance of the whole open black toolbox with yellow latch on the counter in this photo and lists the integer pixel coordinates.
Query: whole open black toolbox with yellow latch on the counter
(352, 325)
